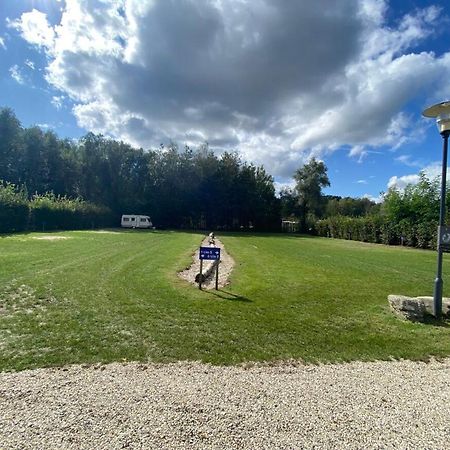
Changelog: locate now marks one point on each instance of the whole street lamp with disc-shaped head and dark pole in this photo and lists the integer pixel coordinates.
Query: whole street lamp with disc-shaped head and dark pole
(441, 112)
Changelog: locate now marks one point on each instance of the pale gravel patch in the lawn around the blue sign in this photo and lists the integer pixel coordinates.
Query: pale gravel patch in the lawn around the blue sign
(225, 267)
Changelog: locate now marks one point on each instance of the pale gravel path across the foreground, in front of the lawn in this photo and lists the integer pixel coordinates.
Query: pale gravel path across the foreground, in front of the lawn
(402, 405)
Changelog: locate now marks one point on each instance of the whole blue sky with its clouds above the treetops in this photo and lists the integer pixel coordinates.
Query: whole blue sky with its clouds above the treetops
(278, 81)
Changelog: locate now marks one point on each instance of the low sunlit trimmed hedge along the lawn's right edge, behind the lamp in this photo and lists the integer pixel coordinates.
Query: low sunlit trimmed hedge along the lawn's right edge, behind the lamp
(379, 230)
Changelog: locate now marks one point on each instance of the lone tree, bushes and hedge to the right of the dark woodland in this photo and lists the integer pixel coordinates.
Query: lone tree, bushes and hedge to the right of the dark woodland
(404, 217)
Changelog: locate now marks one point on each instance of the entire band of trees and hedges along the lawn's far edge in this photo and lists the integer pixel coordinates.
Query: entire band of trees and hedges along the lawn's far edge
(48, 182)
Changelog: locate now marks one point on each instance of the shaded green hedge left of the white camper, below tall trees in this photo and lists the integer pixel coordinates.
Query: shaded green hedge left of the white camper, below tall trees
(48, 212)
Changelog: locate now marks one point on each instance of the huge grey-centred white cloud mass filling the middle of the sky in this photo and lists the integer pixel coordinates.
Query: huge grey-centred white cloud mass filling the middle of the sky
(278, 81)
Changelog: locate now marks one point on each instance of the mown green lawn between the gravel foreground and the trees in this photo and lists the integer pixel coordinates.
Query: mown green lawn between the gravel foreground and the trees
(101, 297)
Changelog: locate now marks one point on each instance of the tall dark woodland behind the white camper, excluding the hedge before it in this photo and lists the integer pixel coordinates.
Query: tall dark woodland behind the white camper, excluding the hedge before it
(188, 188)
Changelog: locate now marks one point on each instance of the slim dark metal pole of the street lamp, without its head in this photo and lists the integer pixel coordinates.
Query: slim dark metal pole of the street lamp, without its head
(438, 283)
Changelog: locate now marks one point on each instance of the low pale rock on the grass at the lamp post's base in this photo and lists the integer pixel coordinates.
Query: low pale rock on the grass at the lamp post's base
(416, 308)
